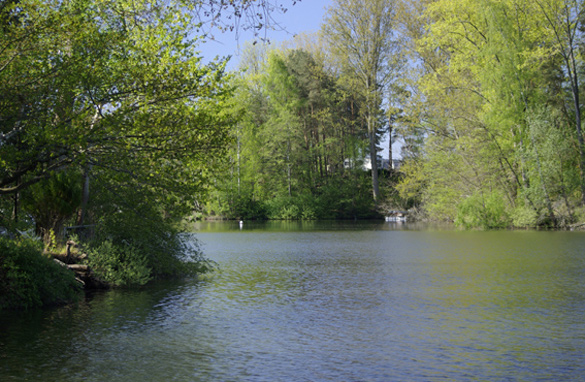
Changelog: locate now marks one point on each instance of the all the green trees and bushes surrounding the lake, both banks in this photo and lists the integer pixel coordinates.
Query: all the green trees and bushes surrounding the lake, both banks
(114, 130)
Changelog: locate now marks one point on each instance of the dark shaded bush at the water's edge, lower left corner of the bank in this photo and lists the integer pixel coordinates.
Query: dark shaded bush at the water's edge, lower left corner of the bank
(28, 279)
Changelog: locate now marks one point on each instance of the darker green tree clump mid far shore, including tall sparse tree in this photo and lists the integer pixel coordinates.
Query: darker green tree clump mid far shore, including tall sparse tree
(312, 113)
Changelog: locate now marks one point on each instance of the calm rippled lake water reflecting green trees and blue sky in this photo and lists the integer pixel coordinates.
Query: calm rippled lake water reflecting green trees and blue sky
(328, 302)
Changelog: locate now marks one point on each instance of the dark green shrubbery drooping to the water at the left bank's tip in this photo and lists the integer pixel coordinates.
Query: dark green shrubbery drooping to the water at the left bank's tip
(133, 222)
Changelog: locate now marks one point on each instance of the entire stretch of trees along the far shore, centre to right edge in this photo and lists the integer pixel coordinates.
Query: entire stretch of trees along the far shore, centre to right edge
(484, 97)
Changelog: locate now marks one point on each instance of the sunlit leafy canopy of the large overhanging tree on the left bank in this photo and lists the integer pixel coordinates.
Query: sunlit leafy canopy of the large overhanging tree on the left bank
(115, 87)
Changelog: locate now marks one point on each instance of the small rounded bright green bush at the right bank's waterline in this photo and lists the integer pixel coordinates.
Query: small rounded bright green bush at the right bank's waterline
(482, 211)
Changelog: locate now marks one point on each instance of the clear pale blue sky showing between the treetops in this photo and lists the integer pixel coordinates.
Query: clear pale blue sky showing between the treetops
(304, 16)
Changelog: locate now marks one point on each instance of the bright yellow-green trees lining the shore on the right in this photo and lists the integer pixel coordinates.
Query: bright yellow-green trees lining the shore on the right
(494, 126)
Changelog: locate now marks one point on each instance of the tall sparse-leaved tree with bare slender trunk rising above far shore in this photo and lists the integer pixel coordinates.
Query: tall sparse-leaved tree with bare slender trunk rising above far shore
(363, 41)
